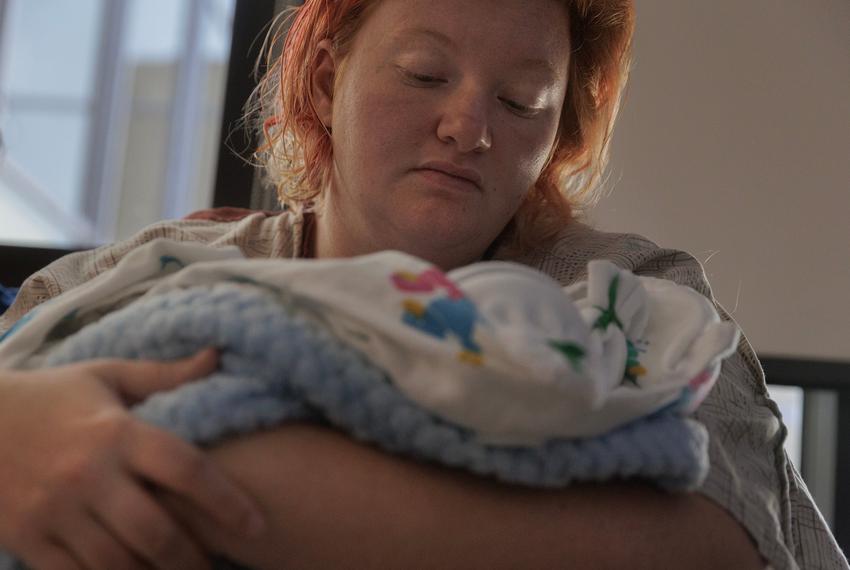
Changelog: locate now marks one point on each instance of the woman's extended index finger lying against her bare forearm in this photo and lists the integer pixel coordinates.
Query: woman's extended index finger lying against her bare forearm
(185, 471)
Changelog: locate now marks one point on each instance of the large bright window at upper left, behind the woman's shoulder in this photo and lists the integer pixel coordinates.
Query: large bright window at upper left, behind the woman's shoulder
(110, 112)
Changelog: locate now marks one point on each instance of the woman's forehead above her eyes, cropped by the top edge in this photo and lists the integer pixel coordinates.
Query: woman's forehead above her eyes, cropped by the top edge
(524, 30)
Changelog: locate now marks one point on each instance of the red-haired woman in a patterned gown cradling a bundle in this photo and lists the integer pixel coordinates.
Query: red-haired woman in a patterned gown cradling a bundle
(447, 129)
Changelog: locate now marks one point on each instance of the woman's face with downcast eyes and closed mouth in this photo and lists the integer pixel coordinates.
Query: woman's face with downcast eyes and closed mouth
(443, 117)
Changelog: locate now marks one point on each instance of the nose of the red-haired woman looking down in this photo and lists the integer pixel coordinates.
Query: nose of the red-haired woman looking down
(465, 123)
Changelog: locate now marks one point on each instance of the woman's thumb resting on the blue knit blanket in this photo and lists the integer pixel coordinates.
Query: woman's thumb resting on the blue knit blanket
(136, 380)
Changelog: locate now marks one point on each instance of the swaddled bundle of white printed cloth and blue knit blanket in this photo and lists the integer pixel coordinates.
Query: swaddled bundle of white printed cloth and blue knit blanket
(493, 368)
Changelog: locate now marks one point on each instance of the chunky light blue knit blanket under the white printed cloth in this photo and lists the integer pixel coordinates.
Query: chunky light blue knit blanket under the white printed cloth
(276, 367)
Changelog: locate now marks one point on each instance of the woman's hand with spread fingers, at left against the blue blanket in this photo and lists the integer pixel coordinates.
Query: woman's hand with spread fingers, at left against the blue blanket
(78, 469)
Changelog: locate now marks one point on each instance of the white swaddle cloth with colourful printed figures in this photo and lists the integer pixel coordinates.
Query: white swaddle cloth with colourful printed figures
(495, 347)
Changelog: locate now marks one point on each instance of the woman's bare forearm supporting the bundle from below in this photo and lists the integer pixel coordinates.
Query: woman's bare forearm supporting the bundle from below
(334, 503)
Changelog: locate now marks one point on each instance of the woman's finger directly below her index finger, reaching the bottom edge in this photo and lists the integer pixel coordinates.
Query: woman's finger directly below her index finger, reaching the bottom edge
(139, 522)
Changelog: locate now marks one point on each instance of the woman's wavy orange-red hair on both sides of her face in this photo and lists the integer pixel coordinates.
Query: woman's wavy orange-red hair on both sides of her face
(296, 153)
